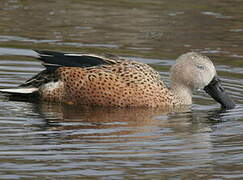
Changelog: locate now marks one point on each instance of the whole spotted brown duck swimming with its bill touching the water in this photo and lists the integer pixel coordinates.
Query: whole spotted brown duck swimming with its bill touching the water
(94, 80)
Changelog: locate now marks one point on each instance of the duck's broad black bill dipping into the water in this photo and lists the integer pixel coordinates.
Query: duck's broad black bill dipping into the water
(217, 92)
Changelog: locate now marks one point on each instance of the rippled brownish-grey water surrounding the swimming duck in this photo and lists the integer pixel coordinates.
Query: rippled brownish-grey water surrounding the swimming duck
(50, 141)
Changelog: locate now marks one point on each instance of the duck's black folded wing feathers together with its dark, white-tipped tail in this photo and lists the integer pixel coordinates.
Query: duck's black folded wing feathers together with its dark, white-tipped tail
(52, 61)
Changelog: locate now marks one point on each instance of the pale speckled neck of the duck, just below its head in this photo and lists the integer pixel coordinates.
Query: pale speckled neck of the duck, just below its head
(182, 93)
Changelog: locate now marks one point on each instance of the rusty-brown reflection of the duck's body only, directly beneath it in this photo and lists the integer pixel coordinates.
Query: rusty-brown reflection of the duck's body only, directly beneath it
(106, 123)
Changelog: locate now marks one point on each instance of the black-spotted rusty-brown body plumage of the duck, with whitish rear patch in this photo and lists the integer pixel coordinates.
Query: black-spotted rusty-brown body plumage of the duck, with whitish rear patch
(124, 83)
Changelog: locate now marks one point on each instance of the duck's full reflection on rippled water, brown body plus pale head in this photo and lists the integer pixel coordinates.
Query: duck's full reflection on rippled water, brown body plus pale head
(162, 133)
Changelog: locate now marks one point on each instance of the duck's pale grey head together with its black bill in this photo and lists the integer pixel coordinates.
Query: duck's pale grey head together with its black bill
(195, 71)
